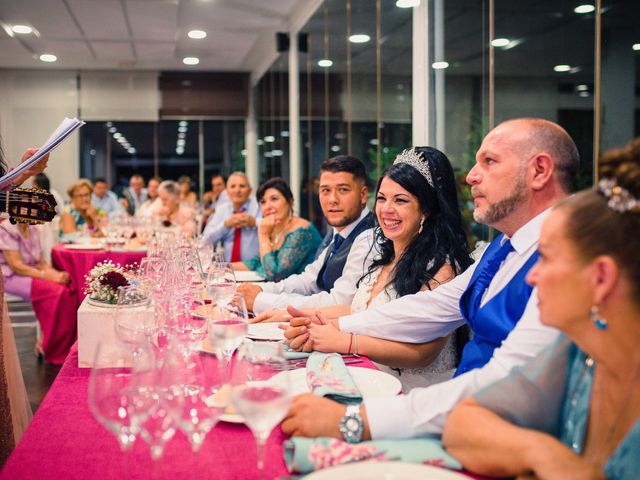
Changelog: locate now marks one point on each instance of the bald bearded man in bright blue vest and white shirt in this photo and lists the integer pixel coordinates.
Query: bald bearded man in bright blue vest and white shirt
(523, 168)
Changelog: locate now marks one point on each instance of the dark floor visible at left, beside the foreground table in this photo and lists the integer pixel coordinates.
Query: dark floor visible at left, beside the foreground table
(38, 376)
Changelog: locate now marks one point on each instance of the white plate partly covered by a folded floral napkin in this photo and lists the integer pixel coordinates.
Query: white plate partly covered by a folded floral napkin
(371, 383)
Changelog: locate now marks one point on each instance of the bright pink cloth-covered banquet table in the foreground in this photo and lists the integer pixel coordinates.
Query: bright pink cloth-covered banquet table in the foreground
(64, 441)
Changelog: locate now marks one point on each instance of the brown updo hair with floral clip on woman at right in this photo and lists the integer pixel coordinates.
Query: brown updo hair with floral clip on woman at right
(605, 220)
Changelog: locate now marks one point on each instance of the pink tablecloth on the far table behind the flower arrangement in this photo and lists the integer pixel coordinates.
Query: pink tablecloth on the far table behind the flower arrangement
(80, 262)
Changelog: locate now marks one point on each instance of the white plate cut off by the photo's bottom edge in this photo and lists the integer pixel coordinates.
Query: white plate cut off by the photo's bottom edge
(384, 471)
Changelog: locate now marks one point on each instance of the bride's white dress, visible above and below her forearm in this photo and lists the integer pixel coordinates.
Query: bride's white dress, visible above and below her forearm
(441, 369)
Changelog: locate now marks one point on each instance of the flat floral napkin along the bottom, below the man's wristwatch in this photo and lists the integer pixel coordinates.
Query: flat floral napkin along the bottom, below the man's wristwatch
(303, 455)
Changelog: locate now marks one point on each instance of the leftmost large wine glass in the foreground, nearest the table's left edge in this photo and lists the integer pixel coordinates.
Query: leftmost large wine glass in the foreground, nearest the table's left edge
(111, 390)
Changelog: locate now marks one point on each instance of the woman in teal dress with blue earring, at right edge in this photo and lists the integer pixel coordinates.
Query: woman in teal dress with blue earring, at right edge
(573, 411)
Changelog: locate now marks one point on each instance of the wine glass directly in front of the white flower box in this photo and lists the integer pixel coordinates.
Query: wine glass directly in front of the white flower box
(135, 319)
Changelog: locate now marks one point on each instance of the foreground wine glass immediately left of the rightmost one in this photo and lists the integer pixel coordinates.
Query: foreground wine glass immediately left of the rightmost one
(193, 393)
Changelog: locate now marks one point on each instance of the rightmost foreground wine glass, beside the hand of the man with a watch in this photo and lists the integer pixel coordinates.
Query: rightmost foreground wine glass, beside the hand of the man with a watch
(262, 402)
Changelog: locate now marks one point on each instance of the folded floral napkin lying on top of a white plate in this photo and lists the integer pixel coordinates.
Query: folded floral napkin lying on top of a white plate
(328, 376)
